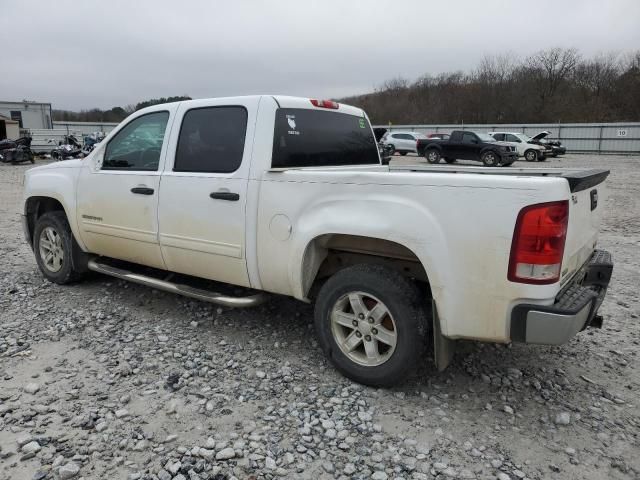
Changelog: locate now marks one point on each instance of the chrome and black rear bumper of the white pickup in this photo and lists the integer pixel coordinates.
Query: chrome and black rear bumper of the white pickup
(575, 308)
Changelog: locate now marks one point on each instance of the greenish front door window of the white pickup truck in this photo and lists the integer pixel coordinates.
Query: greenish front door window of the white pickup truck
(137, 146)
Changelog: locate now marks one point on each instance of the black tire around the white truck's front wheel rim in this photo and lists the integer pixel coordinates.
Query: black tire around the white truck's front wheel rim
(57, 221)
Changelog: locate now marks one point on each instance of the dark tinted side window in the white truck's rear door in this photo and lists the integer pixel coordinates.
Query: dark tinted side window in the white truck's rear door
(211, 140)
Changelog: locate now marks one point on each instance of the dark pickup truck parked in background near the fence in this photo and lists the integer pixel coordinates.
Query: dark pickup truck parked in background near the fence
(468, 145)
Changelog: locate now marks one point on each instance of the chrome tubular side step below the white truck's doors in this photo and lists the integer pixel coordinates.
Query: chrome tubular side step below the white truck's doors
(187, 291)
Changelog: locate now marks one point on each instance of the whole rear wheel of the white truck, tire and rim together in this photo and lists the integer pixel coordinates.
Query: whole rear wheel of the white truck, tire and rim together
(371, 323)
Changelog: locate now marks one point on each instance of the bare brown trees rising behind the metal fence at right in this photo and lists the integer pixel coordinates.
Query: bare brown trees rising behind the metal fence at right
(553, 85)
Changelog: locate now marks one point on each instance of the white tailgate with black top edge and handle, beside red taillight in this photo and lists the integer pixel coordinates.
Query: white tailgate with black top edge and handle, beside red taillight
(586, 205)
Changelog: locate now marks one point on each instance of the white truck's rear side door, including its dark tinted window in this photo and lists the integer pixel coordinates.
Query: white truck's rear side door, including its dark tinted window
(203, 189)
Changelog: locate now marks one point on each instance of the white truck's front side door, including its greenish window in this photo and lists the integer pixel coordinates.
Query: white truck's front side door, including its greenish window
(118, 191)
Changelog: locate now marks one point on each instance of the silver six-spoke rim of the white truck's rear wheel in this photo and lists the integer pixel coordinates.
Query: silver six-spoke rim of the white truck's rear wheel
(364, 329)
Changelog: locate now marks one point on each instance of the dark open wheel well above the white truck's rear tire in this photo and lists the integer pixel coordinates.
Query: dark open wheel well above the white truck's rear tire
(327, 254)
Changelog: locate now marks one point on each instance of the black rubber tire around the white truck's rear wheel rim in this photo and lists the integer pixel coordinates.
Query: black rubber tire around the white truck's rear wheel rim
(408, 314)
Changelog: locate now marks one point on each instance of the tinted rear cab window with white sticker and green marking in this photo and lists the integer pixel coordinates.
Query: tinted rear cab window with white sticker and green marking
(314, 138)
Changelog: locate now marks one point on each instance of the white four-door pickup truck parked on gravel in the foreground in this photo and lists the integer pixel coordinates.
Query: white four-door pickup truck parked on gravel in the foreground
(288, 196)
